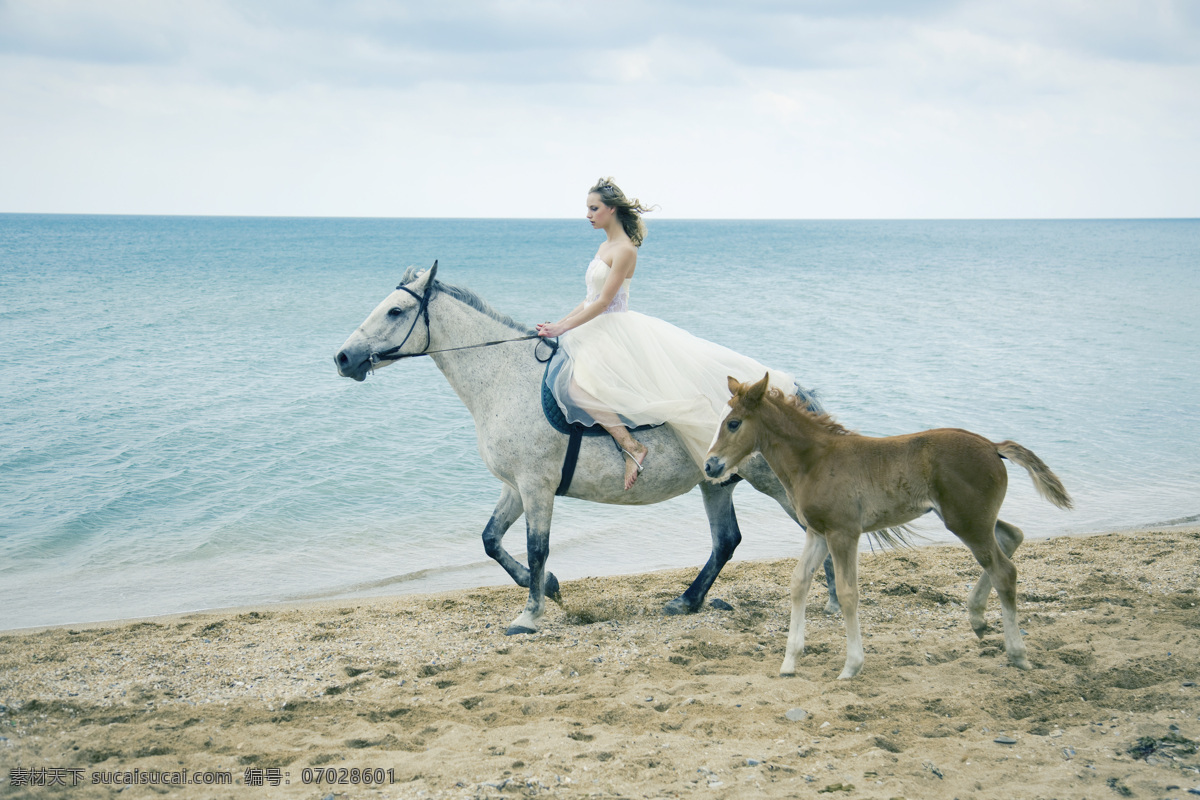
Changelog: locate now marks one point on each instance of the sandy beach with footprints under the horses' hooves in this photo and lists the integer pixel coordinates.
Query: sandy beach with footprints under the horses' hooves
(425, 697)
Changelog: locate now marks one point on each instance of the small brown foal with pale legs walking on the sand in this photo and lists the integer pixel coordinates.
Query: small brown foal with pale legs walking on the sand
(843, 484)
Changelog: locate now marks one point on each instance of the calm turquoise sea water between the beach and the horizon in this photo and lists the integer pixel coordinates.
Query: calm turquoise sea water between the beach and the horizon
(173, 435)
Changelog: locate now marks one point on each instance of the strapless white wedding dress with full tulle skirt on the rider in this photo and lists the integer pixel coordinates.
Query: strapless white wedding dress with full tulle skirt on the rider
(647, 371)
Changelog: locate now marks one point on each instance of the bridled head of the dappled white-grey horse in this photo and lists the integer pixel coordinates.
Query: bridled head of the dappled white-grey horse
(398, 328)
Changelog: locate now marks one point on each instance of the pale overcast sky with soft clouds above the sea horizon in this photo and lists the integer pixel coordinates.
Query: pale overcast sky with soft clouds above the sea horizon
(513, 109)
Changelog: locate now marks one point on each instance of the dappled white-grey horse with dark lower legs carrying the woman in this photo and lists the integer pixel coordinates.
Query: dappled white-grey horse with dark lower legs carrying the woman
(496, 368)
